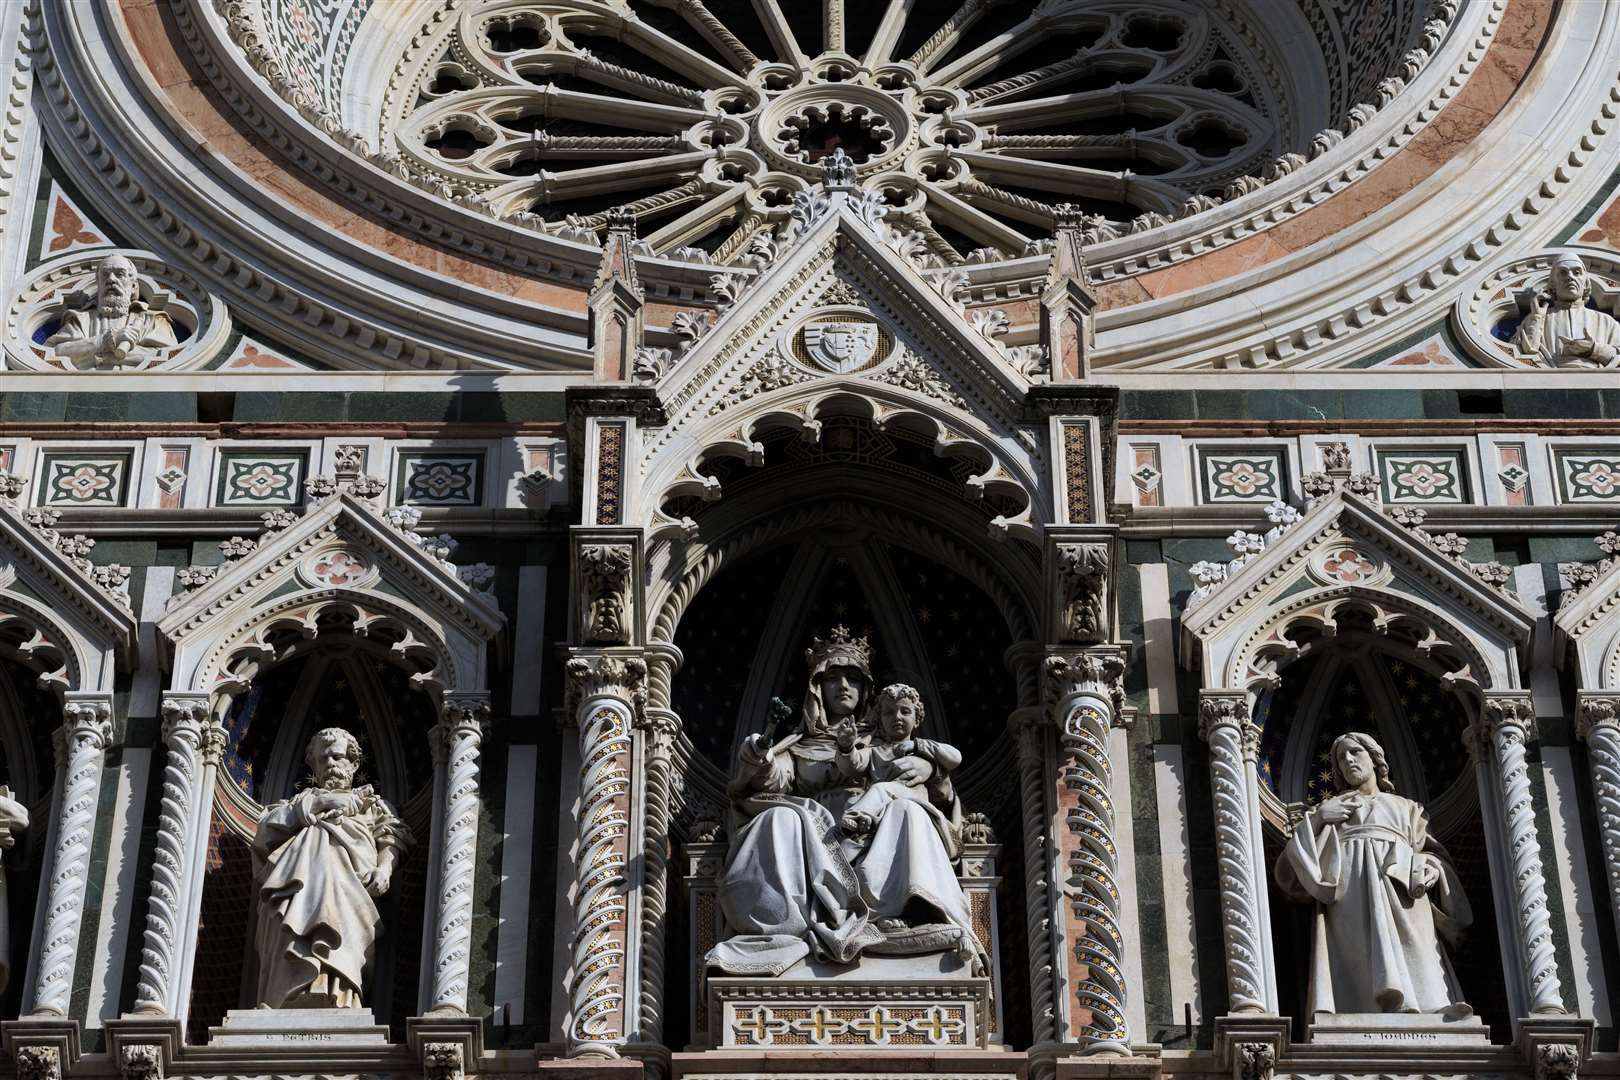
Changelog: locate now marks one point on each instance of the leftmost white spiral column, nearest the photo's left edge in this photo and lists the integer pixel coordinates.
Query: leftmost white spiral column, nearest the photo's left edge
(82, 744)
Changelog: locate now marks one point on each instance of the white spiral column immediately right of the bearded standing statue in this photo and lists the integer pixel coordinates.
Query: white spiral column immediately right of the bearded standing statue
(458, 746)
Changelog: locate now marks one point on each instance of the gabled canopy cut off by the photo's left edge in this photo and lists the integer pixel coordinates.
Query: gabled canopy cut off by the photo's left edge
(80, 634)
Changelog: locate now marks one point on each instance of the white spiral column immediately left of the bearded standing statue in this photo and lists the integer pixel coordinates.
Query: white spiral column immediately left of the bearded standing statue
(190, 734)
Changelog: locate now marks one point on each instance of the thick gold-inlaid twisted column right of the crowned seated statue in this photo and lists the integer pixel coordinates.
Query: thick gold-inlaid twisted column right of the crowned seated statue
(1085, 694)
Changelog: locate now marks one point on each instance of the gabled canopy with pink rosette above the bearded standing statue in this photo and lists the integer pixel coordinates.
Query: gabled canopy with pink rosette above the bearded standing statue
(339, 556)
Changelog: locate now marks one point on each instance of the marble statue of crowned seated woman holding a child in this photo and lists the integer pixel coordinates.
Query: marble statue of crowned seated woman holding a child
(822, 867)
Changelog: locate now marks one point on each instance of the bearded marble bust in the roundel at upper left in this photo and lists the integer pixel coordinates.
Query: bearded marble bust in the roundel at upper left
(114, 328)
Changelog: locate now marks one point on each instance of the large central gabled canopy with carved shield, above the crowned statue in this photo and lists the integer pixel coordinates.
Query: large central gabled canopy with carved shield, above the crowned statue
(840, 263)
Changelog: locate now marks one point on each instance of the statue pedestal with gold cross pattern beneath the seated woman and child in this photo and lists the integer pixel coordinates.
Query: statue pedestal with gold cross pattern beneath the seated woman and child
(880, 1003)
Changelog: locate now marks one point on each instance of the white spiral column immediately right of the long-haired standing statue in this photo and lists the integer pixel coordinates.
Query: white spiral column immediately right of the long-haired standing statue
(1506, 728)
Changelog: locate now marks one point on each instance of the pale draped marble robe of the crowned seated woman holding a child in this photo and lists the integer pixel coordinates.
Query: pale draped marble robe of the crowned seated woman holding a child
(796, 887)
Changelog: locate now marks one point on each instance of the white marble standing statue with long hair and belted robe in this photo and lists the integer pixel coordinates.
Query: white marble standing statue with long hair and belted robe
(1386, 896)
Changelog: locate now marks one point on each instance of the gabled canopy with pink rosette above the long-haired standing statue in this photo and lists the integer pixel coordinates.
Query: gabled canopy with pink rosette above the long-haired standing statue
(1347, 555)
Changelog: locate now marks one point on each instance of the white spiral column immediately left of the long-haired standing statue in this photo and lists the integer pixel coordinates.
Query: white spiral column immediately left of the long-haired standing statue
(1234, 739)
